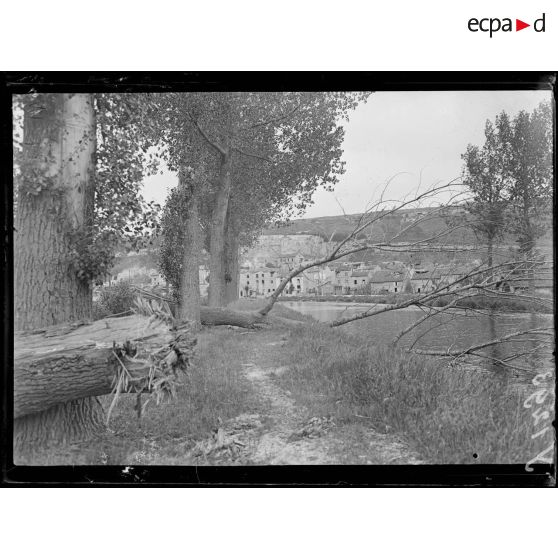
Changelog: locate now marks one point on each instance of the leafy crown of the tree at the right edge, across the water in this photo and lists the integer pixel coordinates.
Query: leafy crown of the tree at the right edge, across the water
(510, 177)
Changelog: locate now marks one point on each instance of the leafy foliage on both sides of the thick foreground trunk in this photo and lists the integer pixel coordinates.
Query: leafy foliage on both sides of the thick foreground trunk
(124, 155)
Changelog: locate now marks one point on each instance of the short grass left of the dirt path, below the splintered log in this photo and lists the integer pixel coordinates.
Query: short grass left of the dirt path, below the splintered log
(214, 388)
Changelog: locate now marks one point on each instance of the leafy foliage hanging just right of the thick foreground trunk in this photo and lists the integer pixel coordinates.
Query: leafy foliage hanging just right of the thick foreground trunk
(125, 156)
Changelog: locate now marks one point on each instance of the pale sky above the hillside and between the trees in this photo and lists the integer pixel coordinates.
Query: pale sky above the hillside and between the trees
(418, 136)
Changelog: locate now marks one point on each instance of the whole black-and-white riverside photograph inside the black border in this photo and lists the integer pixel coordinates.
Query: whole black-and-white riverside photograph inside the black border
(254, 278)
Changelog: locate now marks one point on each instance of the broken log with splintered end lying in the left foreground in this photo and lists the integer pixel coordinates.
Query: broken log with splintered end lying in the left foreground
(64, 363)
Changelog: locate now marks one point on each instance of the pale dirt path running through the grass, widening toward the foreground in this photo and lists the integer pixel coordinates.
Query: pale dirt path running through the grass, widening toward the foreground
(284, 433)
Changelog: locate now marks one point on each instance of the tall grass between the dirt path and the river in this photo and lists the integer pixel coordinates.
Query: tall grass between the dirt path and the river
(447, 414)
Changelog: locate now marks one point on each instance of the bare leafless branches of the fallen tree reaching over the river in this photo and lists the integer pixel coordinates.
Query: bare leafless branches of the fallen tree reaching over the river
(481, 279)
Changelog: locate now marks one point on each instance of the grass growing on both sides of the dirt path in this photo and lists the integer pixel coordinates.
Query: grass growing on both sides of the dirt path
(447, 413)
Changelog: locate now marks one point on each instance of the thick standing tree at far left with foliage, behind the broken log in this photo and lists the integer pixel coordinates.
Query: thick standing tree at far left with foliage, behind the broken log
(79, 171)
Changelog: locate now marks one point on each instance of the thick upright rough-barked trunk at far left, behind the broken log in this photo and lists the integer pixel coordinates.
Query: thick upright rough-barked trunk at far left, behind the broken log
(55, 199)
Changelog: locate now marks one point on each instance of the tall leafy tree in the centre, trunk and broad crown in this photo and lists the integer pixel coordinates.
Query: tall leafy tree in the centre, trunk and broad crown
(269, 150)
